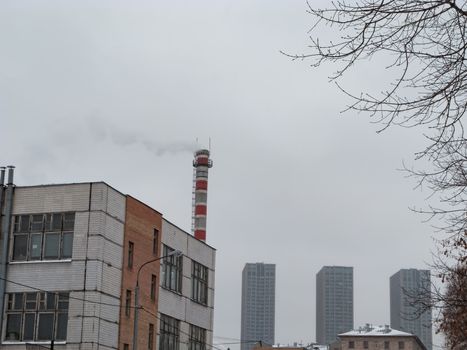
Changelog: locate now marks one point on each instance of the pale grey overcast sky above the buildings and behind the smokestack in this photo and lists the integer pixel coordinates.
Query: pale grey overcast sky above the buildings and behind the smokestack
(119, 91)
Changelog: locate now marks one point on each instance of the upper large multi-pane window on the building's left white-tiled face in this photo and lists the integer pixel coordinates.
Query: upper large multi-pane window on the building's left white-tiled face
(43, 236)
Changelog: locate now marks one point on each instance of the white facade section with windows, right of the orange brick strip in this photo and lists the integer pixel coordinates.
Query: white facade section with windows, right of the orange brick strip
(187, 291)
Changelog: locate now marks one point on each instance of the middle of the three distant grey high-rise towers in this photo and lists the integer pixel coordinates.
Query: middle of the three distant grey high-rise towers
(334, 302)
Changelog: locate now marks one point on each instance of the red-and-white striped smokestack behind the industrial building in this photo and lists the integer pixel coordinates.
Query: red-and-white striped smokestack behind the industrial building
(201, 163)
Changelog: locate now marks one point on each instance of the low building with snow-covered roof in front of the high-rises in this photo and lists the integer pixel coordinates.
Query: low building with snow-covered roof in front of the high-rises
(377, 338)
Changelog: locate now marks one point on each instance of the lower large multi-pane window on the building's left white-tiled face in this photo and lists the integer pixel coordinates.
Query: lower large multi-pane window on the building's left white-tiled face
(37, 316)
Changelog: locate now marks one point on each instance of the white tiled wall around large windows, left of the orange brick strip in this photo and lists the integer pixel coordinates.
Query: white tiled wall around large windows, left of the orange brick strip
(101, 257)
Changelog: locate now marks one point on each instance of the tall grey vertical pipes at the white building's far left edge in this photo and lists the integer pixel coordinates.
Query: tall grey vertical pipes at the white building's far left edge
(4, 234)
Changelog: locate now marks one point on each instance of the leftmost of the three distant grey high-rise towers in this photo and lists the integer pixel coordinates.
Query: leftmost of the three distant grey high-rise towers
(258, 304)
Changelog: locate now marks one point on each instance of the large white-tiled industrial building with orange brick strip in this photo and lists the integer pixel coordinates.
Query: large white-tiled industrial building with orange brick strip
(73, 253)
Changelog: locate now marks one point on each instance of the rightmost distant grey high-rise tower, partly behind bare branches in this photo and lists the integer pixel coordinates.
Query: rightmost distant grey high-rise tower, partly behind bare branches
(407, 286)
